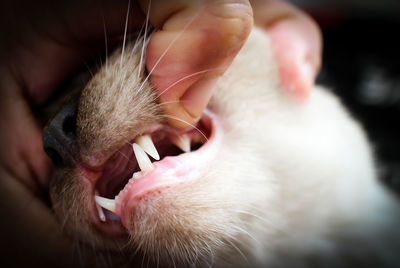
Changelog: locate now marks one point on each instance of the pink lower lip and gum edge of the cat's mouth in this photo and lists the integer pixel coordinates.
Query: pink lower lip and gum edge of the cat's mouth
(166, 173)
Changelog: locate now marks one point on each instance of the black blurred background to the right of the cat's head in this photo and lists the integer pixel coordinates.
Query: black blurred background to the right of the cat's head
(361, 63)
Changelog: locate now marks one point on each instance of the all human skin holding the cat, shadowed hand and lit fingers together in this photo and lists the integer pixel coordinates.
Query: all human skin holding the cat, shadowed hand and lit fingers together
(45, 42)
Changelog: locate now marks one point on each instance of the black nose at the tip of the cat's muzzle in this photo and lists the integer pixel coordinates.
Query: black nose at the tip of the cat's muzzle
(59, 138)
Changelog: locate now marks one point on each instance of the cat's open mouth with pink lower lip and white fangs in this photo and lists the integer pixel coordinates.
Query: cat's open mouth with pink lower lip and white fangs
(153, 161)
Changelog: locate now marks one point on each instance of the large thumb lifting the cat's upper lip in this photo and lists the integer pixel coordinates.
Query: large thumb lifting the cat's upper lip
(195, 46)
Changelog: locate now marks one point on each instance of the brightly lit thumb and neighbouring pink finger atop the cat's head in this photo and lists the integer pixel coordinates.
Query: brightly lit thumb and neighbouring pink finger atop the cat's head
(295, 39)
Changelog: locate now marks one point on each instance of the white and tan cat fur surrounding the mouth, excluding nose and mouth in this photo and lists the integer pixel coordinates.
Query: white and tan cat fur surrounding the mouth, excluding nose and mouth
(293, 184)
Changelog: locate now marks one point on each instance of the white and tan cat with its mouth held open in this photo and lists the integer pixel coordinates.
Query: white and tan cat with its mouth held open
(263, 180)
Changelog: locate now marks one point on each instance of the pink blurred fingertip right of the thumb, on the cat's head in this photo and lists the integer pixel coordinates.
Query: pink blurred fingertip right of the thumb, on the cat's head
(296, 56)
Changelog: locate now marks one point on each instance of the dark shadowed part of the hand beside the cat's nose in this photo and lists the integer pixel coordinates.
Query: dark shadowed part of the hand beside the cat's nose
(45, 42)
